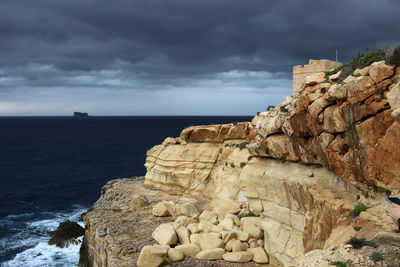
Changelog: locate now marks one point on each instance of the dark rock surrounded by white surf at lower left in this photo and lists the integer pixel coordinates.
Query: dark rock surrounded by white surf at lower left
(66, 233)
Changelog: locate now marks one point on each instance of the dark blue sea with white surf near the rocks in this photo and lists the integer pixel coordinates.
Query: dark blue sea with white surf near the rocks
(53, 168)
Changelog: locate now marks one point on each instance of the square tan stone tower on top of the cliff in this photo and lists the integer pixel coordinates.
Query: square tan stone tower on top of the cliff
(314, 66)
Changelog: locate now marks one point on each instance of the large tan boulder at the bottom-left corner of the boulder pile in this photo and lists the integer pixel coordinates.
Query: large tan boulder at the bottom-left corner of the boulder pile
(152, 256)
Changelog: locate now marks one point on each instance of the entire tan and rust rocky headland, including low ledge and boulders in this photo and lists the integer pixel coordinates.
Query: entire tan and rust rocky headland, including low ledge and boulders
(315, 170)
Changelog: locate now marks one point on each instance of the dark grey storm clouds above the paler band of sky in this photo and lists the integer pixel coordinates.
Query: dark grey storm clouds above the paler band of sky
(157, 44)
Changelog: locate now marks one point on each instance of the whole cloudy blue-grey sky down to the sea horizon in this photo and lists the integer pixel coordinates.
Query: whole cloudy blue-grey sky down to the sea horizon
(173, 57)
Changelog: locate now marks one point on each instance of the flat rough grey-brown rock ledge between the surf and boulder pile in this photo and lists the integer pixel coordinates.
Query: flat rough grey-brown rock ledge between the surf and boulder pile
(117, 234)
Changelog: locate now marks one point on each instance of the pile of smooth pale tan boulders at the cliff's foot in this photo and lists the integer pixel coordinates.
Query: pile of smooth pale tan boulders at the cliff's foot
(212, 235)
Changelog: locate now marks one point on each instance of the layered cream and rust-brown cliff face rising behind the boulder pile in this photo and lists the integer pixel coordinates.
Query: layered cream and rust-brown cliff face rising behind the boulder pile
(302, 165)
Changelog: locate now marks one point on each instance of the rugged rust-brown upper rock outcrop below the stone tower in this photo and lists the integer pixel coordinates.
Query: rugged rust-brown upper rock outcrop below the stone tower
(347, 127)
